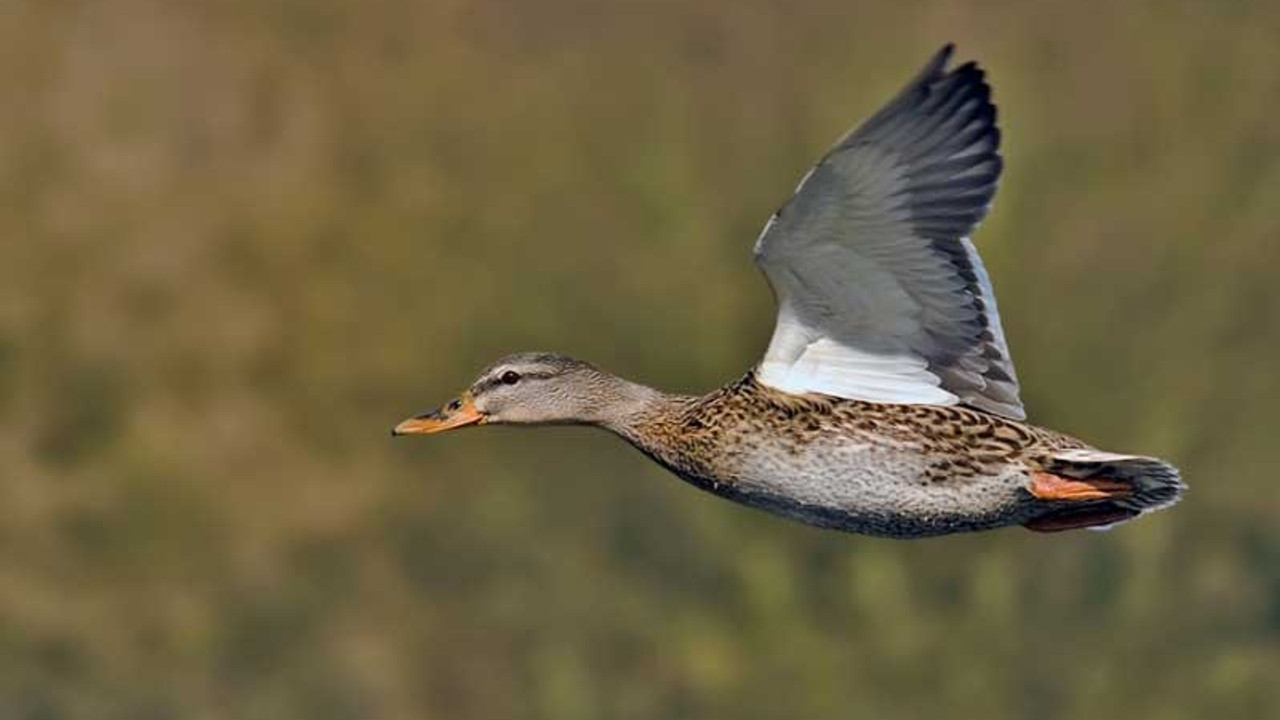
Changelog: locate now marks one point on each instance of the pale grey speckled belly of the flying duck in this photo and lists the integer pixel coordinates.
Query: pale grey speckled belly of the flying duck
(874, 489)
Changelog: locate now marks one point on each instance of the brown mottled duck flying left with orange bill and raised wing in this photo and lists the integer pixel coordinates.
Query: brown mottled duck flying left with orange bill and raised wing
(886, 403)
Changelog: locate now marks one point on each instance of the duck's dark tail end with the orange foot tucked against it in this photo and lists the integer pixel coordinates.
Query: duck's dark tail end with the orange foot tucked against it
(1104, 489)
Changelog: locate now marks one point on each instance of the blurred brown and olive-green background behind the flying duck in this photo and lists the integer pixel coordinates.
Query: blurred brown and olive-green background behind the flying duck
(243, 239)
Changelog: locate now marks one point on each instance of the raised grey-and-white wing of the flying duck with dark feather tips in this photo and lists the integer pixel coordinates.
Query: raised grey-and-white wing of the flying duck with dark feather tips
(881, 294)
